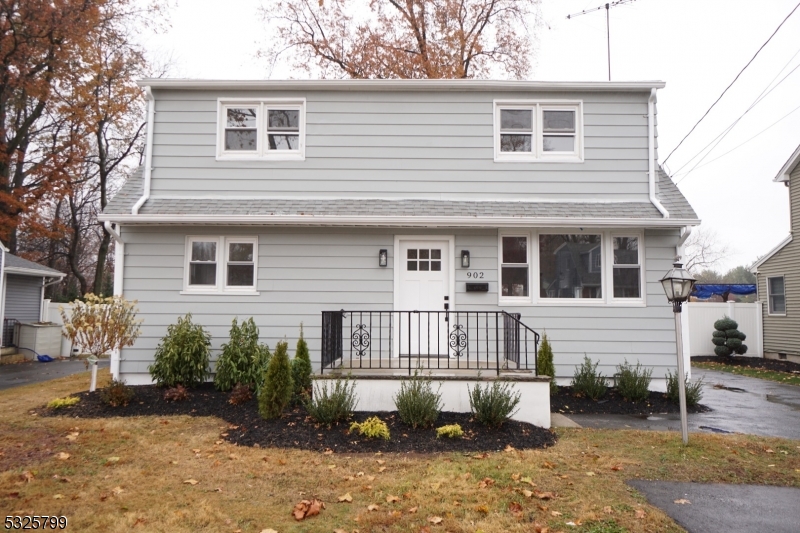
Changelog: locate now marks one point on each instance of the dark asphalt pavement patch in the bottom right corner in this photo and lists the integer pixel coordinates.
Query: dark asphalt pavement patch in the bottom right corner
(717, 508)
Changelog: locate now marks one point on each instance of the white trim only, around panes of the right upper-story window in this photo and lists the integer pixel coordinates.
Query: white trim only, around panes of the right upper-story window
(538, 154)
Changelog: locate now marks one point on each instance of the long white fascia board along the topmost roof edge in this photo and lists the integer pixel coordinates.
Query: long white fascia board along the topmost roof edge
(394, 85)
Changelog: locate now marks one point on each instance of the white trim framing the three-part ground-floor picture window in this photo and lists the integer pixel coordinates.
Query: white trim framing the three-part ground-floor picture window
(606, 242)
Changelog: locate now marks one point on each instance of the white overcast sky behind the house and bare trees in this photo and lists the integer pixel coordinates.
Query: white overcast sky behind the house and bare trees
(696, 46)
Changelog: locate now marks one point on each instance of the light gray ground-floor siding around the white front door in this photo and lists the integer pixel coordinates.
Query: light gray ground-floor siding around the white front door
(303, 271)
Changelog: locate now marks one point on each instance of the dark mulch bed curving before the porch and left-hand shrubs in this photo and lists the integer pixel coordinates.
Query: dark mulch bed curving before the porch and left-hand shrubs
(297, 430)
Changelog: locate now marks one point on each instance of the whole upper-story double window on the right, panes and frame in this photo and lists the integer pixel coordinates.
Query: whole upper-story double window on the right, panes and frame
(538, 131)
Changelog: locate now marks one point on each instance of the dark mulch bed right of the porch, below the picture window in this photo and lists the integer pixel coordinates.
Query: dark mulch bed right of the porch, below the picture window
(613, 403)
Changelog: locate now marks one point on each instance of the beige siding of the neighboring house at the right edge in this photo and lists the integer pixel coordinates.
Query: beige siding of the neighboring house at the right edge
(781, 332)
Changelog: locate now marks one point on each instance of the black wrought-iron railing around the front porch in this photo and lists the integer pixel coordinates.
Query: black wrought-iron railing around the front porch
(452, 340)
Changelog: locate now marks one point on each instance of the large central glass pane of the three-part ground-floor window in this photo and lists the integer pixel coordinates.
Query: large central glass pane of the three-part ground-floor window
(568, 266)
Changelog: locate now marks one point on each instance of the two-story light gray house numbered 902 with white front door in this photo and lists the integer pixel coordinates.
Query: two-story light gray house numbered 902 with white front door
(282, 200)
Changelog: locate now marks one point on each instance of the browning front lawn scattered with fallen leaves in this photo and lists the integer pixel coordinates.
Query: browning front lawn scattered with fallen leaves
(178, 473)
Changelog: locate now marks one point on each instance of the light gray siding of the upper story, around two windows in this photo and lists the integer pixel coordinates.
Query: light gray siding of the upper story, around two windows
(397, 144)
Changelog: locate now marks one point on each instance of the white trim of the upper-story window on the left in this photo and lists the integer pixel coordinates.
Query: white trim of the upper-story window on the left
(262, 153)
